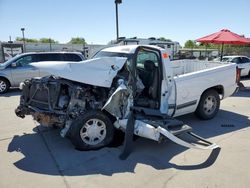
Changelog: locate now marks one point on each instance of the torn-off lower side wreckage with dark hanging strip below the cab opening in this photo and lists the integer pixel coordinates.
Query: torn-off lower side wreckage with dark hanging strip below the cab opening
(159, 127)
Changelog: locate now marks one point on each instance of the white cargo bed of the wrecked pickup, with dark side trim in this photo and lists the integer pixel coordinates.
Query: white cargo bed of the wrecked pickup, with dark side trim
(193, 77)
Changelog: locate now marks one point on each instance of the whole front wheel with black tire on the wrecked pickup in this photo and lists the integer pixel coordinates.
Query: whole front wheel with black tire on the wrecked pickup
(97, 120)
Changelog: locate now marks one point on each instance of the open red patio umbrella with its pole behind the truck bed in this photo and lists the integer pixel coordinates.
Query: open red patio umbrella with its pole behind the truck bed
(224, 37)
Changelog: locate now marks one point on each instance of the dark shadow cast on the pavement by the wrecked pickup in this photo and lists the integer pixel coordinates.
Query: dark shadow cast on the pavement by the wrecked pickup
(44, 146)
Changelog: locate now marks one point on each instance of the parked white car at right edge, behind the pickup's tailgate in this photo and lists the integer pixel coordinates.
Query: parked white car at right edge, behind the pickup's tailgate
(243, 62)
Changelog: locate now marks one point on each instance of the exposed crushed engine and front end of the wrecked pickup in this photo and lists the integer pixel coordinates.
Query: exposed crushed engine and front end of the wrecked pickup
(53, 101)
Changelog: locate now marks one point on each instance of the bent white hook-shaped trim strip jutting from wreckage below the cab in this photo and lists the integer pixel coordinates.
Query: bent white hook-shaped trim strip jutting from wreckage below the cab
(205, 145)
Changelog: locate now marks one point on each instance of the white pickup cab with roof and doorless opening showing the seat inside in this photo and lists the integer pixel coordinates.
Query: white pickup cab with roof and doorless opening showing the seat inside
(151, 70)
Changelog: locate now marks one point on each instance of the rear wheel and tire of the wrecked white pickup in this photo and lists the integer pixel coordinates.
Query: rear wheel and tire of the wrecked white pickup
(209, 105)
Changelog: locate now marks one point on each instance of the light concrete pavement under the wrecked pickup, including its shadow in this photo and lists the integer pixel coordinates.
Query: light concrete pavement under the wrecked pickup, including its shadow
(33, 156)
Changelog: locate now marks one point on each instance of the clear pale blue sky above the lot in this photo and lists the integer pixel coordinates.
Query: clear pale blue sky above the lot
(94, 20)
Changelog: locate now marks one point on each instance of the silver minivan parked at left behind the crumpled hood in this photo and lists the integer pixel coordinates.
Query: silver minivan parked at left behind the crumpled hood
(20, 68)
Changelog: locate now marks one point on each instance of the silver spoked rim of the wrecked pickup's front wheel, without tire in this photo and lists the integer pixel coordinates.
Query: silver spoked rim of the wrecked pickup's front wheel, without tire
(93, 132)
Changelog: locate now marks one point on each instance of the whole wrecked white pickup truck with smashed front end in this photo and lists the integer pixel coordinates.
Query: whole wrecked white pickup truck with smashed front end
(133, 88)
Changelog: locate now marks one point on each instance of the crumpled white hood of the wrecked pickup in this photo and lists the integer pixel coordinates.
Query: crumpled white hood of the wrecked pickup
(98, 71)
